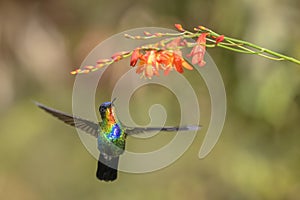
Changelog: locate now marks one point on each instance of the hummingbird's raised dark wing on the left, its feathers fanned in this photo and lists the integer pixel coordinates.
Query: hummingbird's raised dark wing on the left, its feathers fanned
(83, 124)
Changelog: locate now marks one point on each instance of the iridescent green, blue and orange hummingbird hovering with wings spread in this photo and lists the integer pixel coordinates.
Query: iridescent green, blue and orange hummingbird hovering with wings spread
(111, 135)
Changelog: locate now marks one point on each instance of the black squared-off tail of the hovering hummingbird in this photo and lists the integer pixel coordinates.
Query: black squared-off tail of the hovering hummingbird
(107, 169)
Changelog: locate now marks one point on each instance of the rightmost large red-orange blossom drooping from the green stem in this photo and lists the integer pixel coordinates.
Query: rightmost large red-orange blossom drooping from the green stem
(198, 51)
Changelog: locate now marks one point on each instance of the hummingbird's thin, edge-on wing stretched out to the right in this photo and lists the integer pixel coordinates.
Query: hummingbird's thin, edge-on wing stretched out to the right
(138, 130)
